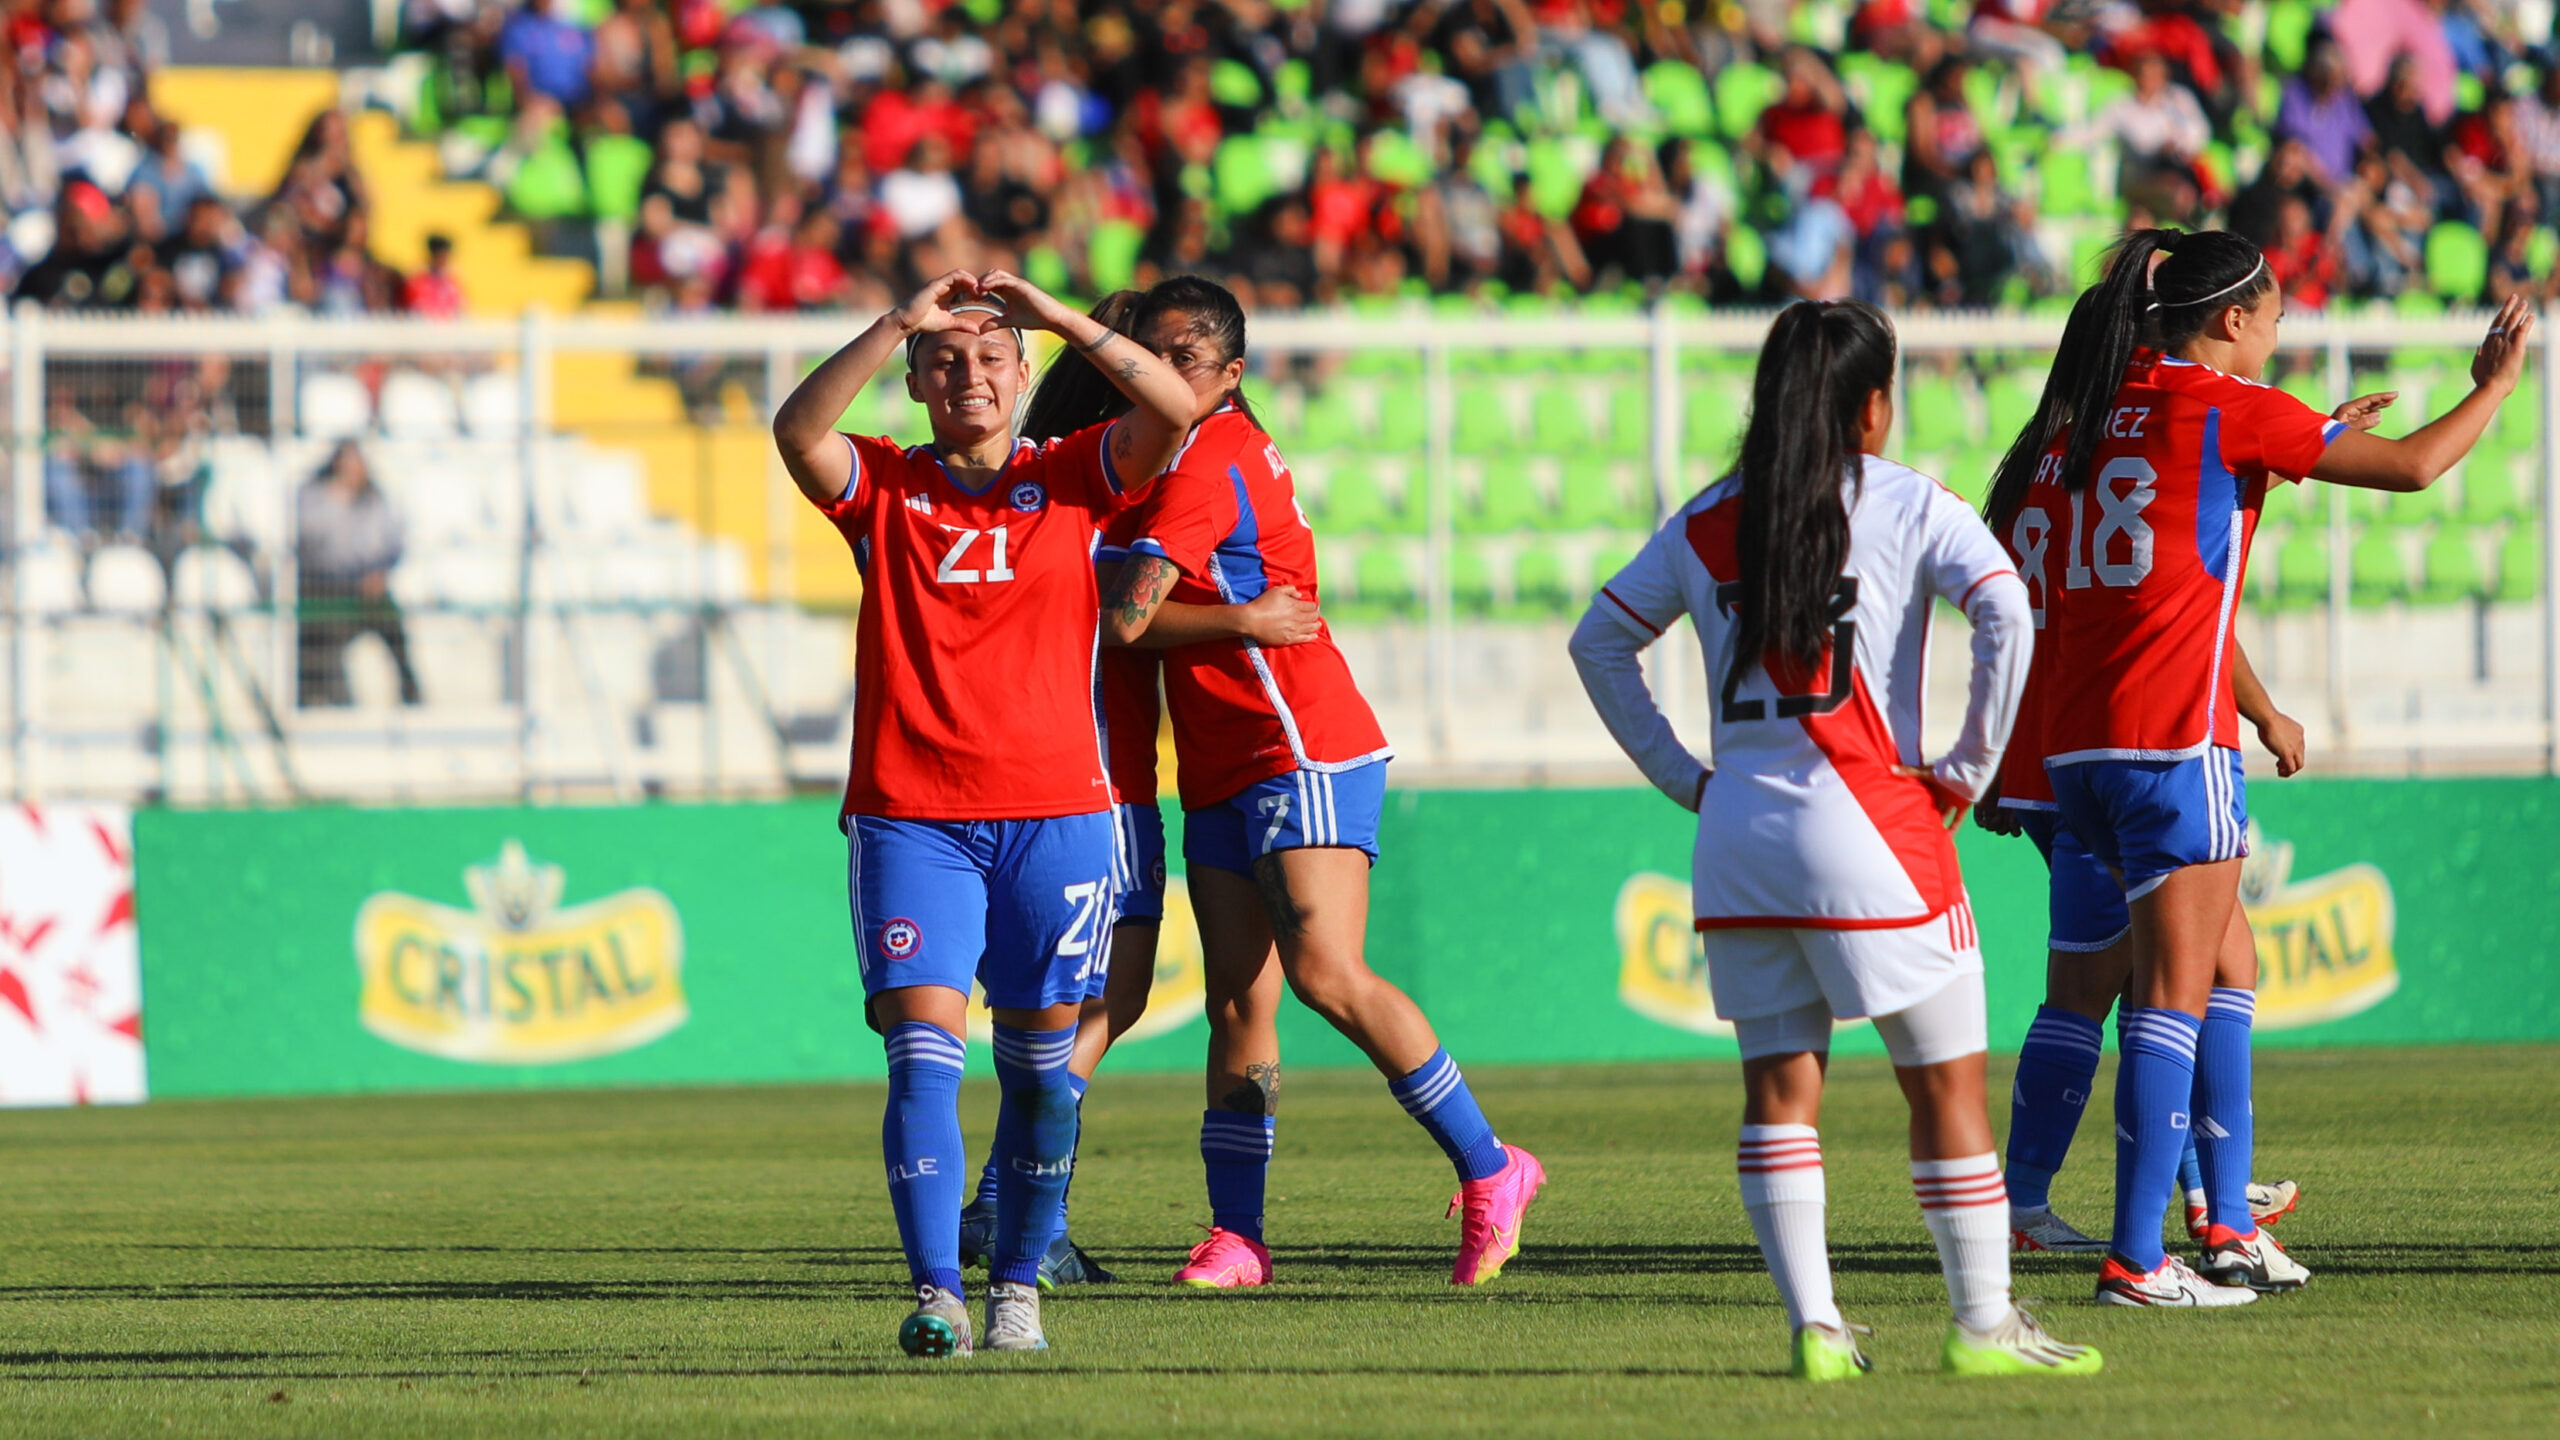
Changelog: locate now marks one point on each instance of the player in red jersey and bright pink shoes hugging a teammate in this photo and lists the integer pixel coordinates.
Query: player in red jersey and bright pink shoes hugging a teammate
(1284, 780)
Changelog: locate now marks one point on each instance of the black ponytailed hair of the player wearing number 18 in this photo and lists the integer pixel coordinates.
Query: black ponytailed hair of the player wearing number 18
(2162, 288)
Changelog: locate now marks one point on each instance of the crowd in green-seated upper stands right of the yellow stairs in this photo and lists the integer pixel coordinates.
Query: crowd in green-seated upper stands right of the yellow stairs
(1914, 152)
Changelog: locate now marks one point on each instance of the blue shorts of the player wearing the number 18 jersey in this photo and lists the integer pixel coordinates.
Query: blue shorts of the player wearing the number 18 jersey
(2149, 819)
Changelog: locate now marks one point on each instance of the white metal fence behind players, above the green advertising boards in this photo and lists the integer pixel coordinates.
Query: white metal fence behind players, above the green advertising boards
(605, 588)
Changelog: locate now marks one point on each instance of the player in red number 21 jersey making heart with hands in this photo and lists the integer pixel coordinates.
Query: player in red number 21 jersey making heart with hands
(979, 814)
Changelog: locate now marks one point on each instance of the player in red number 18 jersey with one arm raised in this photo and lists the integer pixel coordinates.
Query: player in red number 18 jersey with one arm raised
(2136, 532)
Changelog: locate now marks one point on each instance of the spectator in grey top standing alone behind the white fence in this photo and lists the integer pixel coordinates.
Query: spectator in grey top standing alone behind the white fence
(347, 542)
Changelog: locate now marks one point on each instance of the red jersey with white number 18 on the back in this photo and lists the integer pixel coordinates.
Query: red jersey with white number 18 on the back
(2139, 575)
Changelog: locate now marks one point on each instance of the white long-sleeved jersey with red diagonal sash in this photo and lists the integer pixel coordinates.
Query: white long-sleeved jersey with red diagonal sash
(1804, 819)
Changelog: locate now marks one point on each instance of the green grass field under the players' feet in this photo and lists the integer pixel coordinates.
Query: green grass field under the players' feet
(723, 1264)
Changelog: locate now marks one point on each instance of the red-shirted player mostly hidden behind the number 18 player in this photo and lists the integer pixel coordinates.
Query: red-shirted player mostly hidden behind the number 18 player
(2090, 952)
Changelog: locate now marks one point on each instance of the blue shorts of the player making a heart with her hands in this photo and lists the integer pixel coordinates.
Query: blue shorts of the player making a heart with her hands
(1018, 906)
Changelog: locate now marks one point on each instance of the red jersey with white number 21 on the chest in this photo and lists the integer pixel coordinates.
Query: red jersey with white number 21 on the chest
(974, 652)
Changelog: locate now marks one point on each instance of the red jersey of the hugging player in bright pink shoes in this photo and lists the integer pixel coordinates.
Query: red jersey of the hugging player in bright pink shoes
(1228, 516)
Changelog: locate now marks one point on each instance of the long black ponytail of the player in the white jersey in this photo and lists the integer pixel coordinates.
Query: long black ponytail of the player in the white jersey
(1801, 447)
